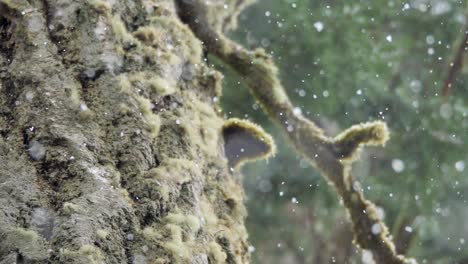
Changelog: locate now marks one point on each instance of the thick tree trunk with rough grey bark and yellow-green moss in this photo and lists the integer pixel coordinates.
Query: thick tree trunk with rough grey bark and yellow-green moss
(110, 144)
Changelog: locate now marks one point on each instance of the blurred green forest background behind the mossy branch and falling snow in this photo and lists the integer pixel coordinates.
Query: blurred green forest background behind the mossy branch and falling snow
(345, 62)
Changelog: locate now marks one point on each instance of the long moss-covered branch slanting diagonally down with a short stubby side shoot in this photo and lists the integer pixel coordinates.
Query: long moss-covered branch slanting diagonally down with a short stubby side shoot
(333, 156)
